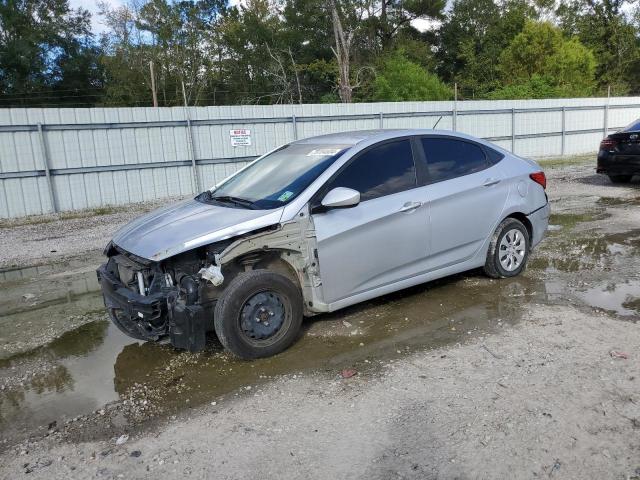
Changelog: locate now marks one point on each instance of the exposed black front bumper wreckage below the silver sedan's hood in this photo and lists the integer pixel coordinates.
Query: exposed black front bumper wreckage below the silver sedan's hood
(157, 301)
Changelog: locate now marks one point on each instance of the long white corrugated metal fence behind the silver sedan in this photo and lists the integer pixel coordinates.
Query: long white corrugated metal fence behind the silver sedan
(74, 158)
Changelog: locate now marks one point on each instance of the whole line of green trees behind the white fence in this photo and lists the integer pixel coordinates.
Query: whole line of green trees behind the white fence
(281, 51)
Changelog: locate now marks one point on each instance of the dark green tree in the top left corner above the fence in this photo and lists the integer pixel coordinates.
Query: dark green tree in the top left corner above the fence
(47, 55)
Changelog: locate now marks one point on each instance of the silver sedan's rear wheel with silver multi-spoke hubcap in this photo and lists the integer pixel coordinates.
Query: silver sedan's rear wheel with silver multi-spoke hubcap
(499, 265)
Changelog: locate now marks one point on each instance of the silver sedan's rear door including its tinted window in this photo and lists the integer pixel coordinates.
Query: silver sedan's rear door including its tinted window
(467, 195)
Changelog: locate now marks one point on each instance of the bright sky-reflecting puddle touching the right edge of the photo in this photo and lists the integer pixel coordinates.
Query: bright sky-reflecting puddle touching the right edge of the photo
(621, 298)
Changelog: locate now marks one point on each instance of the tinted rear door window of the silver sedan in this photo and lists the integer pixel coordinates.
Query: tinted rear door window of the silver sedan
(449, 158)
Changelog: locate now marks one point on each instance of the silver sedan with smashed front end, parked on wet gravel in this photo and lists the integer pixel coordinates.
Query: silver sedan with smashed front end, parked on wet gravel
(317, 225)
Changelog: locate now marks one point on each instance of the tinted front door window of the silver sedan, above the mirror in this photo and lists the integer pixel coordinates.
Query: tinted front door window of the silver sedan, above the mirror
(380, 171)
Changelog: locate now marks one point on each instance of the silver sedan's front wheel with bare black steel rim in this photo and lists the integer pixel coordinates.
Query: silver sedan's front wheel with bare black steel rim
(255, 295)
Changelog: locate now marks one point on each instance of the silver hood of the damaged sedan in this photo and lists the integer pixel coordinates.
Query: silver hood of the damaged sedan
(189, 224)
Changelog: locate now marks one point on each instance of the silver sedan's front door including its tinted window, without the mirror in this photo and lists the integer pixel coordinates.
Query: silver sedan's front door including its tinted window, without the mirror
(383, 239)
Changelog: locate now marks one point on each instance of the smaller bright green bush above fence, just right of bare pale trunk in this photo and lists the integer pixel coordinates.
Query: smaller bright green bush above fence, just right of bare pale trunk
(399, 79)
